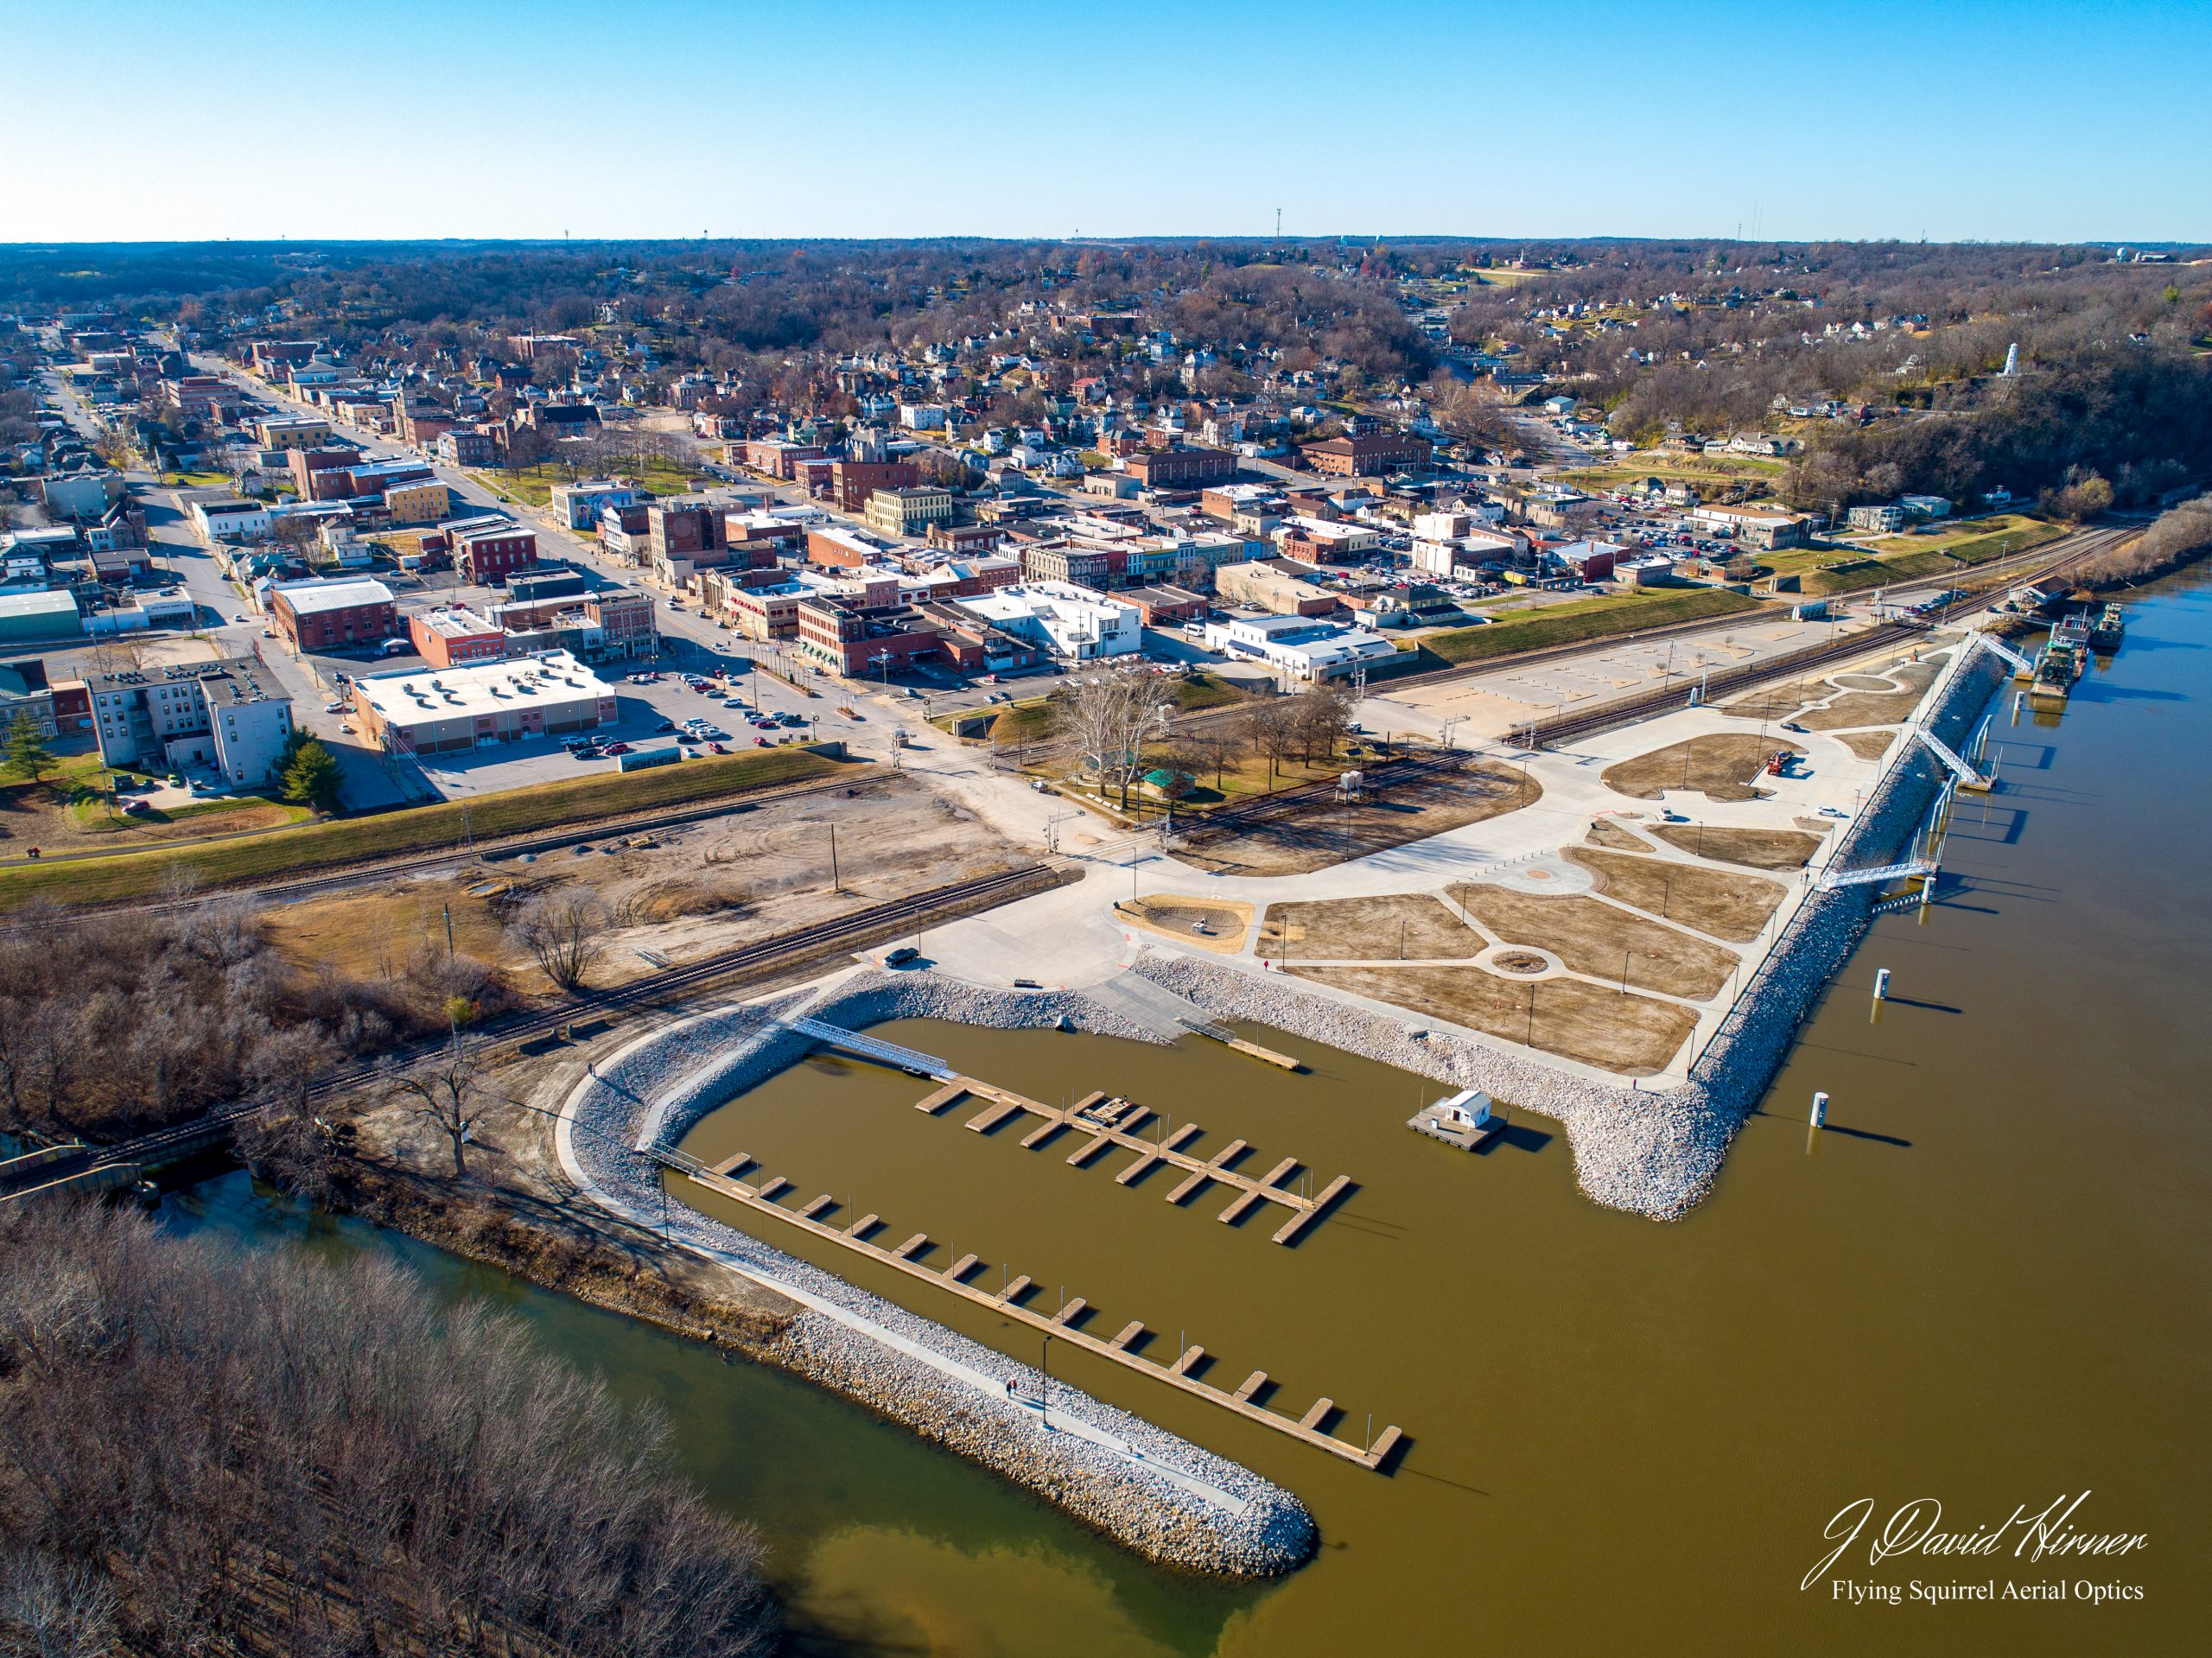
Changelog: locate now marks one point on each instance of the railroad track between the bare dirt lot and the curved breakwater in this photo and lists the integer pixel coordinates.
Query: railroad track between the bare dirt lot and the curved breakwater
(744, 961)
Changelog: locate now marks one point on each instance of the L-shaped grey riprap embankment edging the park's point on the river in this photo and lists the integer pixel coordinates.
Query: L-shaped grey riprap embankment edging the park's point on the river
(1645, 1151)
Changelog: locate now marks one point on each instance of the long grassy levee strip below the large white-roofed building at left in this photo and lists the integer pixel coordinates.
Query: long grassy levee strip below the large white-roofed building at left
(351, 841)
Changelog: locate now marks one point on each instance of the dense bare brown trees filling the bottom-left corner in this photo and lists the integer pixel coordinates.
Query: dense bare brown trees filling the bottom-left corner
(216, 1451)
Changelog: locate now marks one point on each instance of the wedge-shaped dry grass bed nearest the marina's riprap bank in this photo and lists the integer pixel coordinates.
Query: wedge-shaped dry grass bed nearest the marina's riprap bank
(1623, 1033)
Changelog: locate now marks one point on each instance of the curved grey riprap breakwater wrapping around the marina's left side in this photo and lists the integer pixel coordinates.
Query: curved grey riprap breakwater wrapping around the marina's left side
(963, 1394)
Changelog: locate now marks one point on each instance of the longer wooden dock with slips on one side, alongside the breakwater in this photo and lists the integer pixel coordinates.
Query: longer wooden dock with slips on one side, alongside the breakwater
(1061, 1325)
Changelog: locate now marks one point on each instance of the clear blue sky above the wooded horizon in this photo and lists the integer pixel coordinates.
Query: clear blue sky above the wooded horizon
(674, 118)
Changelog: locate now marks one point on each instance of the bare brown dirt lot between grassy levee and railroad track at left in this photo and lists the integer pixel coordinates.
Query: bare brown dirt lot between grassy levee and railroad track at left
(680, 894)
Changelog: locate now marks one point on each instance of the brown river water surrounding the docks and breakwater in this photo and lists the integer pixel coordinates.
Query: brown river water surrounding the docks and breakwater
(1985, 1283)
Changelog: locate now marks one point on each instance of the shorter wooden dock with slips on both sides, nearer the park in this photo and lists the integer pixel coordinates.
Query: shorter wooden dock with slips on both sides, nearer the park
(1109, 1122)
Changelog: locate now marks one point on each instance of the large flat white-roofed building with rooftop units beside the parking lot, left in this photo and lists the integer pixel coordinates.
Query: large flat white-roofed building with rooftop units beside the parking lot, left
(435, 711)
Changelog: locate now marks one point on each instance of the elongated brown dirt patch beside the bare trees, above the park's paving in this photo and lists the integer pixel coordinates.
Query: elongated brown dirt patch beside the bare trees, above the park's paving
(1335, 832)
